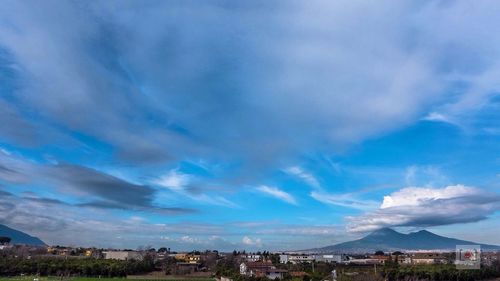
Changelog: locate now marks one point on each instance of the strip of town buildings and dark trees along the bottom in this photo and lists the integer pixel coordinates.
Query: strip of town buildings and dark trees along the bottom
(162, 263)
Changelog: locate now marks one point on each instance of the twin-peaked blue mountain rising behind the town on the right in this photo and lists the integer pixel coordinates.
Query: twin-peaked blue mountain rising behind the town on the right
(387, 239)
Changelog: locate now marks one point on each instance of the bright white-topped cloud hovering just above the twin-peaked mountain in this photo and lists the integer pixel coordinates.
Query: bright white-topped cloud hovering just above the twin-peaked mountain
(424, 207)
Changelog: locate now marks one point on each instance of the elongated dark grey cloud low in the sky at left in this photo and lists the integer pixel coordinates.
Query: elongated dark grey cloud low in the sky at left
(92, 188)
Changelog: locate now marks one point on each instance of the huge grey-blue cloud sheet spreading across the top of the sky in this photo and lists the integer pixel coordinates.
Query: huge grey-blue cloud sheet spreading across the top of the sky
(175, 98)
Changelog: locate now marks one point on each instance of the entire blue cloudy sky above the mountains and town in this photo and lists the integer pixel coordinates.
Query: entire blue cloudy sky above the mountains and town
(257, 125)
